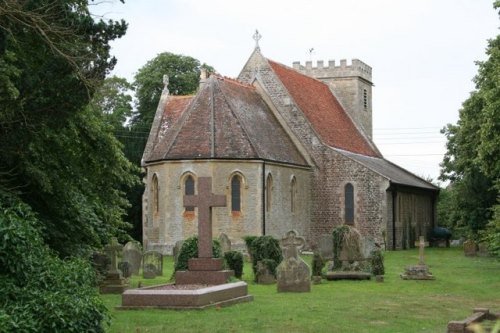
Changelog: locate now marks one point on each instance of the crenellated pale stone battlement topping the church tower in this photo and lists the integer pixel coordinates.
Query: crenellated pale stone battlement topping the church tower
(357, 68)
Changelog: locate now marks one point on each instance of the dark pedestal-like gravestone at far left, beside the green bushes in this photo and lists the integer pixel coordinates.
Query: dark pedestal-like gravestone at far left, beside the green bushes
(113, 283)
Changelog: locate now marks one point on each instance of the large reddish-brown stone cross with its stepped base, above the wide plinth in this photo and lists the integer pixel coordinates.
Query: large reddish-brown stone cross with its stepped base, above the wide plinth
(205, 269)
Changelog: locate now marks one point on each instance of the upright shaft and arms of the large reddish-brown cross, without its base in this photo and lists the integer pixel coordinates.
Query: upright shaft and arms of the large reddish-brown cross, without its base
(205, 200)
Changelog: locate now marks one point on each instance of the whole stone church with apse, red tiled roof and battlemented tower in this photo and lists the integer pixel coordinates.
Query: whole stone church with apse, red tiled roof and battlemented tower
(291, 148)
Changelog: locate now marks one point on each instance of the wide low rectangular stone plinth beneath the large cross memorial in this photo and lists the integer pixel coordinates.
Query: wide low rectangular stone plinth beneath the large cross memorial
(195, 297)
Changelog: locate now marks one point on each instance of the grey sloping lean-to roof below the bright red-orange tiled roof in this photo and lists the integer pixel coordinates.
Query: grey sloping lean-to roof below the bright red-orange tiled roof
(395, 174)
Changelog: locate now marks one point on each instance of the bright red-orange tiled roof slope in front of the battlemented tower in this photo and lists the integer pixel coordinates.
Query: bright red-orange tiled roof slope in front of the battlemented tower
(323, 111)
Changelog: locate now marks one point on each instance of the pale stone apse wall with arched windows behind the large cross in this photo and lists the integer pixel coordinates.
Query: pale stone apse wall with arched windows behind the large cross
(172, 222)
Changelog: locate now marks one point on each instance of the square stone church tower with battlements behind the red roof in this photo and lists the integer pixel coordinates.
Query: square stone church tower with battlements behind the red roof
(351, 84)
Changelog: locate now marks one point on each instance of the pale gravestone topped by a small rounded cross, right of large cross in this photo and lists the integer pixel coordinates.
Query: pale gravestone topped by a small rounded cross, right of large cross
(293, 274)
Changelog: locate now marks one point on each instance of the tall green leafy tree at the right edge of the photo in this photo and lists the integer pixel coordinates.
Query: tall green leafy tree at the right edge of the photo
(472, 162)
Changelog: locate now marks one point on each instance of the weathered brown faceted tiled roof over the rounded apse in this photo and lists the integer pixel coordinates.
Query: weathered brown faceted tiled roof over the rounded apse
(225, 120)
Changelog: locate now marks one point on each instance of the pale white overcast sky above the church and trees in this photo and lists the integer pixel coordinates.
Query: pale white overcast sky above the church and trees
(423, 53)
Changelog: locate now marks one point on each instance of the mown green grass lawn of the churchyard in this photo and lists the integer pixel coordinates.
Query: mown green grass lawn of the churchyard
(395, 305)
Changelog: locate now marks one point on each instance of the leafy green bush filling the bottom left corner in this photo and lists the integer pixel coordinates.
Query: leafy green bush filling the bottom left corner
(40, 292)
